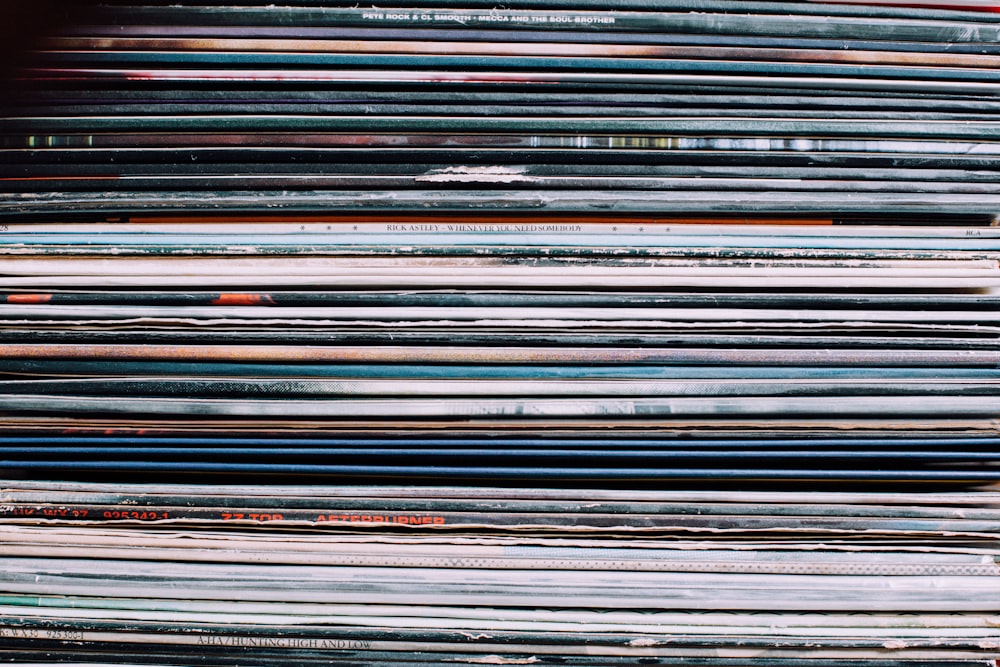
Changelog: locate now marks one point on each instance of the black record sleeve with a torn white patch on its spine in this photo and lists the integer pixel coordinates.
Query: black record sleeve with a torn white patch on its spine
(649, 176)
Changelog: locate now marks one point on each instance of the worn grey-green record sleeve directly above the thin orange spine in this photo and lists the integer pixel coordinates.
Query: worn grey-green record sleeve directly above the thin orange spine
(556, 201)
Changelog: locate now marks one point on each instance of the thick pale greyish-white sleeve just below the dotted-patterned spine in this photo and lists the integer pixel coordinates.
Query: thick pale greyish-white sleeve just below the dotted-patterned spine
(667, 591)
